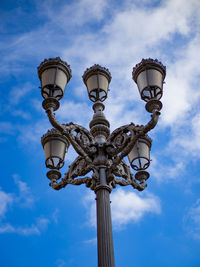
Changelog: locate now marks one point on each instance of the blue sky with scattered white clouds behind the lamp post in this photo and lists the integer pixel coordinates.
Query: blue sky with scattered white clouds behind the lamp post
(157, 227)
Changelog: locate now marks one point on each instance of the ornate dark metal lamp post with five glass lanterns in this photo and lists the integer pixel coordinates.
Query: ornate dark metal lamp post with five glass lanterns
(98, 150)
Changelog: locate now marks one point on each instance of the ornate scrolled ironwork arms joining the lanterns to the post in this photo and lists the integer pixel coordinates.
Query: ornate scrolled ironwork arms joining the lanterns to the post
(116, 147)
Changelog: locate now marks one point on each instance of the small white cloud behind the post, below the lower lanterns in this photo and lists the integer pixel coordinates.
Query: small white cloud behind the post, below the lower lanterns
(127, 207)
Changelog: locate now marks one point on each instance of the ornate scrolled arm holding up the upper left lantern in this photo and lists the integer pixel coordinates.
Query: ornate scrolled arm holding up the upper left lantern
(79, 137)
